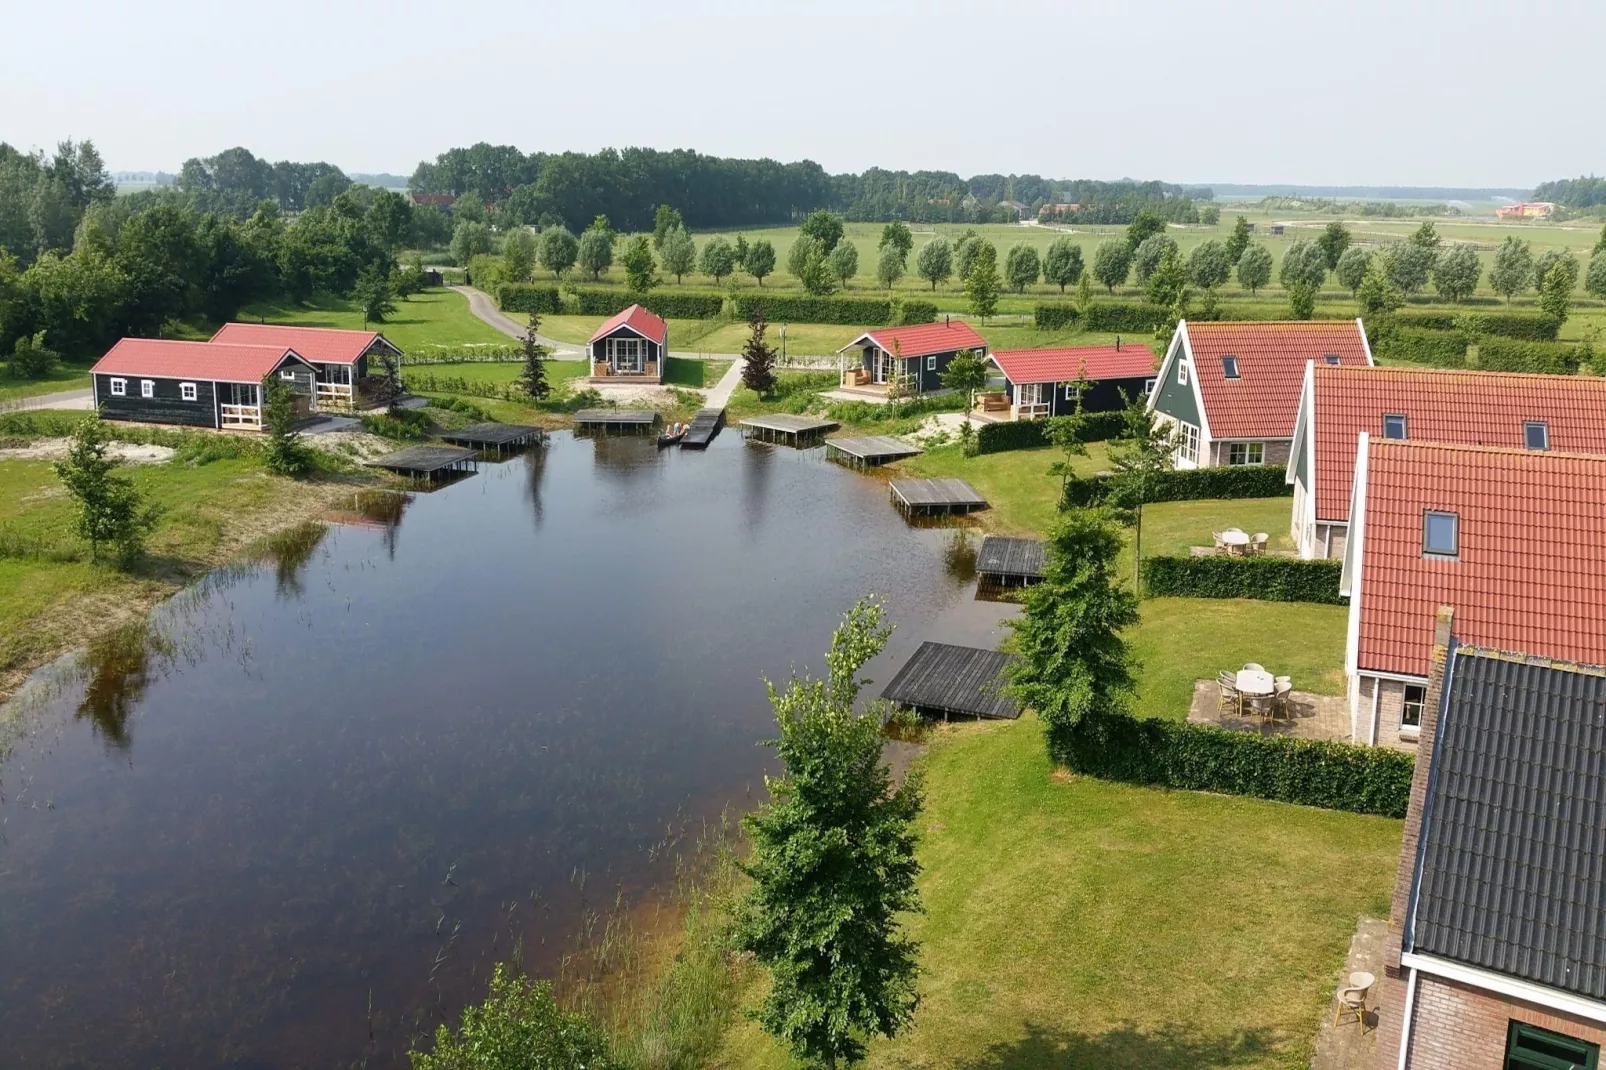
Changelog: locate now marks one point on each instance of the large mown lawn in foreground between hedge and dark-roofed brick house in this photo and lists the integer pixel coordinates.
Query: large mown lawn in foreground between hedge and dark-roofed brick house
(1074, 925)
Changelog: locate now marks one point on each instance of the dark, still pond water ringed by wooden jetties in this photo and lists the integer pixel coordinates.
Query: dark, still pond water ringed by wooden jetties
(298, 820)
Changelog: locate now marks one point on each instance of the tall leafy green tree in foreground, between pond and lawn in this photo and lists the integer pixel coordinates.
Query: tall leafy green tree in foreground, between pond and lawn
(834, 867)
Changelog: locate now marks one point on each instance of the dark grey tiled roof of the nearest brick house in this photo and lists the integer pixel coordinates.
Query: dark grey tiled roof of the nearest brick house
(1512, 868)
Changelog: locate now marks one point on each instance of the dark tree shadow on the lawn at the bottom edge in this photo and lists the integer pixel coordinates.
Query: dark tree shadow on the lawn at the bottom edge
(1127, 1048)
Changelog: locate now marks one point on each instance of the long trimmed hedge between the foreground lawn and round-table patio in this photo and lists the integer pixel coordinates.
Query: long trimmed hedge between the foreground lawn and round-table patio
(1204, 759)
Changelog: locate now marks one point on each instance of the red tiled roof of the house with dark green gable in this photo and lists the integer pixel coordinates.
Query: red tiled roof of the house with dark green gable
(1265, 399)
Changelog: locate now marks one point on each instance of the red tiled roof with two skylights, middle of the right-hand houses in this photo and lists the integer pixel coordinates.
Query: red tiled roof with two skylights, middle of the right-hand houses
(1451, 407)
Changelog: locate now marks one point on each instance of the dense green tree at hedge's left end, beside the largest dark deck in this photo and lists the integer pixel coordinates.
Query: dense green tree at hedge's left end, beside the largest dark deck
(1072, 661)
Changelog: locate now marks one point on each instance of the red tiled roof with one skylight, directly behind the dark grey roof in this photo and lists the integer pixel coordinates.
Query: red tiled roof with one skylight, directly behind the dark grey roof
(1531, 573)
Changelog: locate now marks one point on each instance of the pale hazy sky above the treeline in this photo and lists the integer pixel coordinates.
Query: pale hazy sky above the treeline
(1411, 92)
